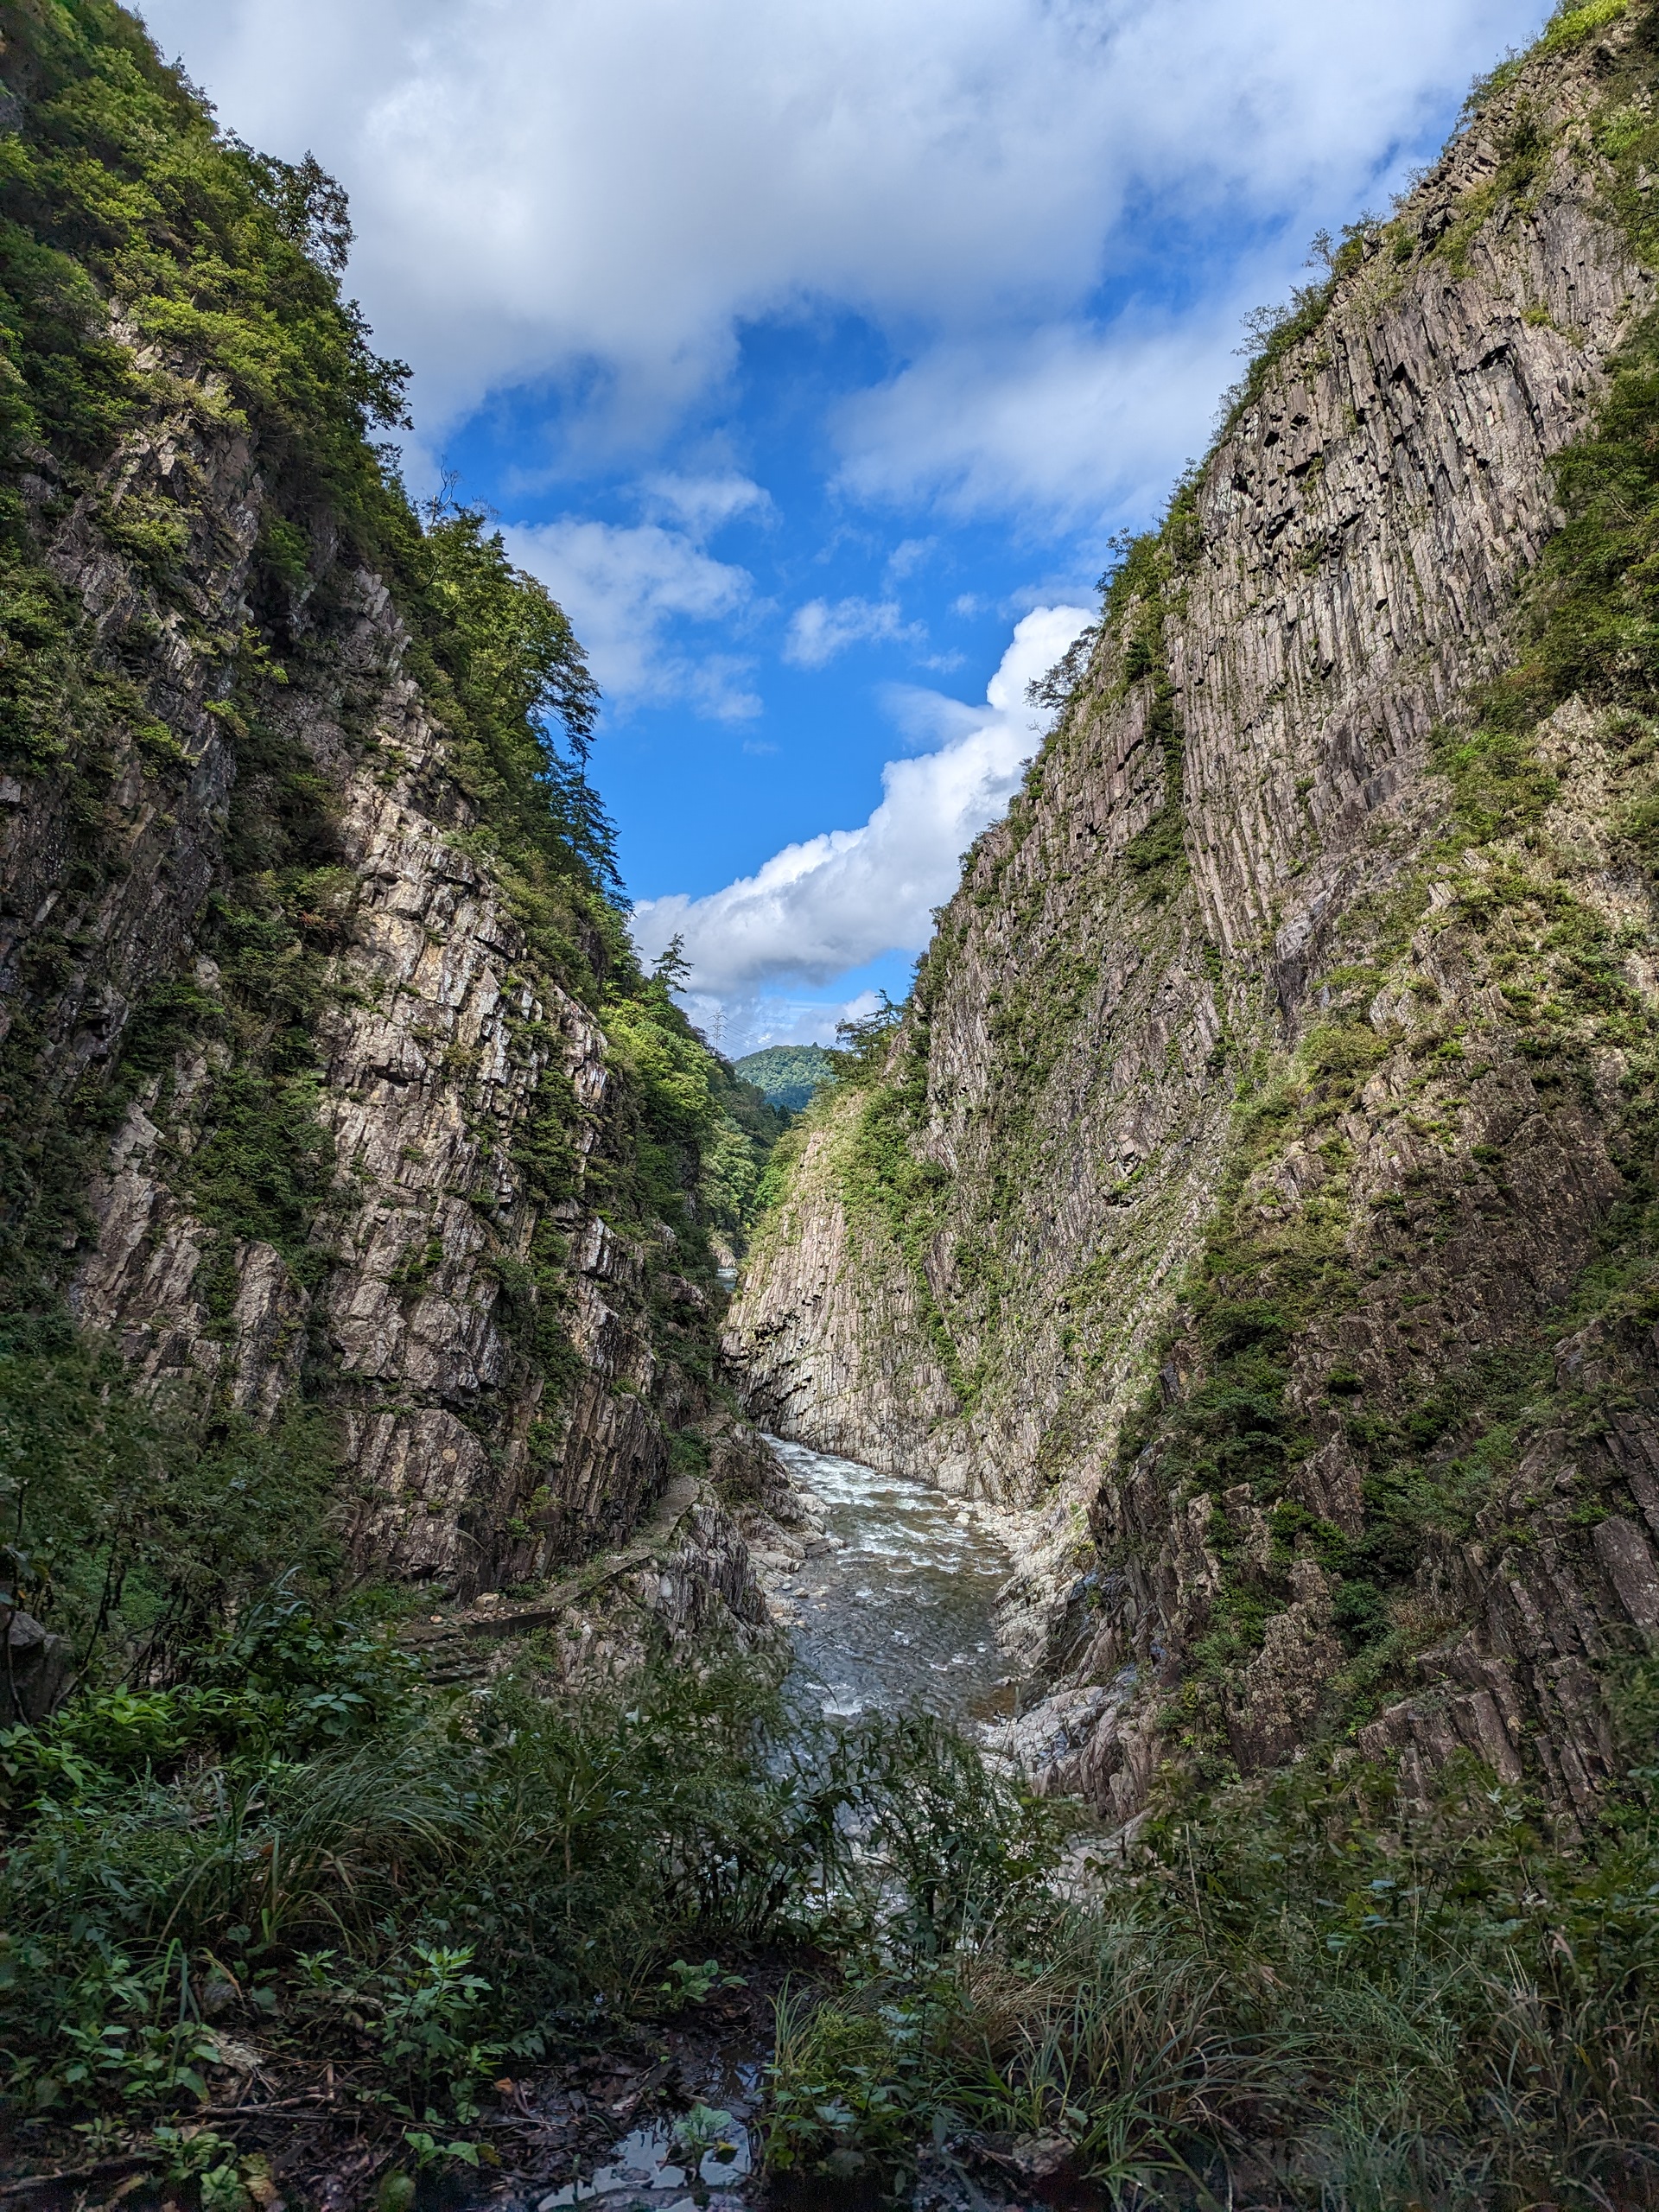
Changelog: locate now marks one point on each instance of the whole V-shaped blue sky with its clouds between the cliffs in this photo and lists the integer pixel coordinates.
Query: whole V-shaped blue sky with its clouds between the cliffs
(813, 353)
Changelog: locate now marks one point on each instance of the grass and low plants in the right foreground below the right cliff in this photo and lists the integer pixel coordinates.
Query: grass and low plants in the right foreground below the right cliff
(1300, 1999)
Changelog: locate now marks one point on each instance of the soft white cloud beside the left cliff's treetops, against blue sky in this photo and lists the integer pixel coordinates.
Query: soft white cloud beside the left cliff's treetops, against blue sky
(623, 587)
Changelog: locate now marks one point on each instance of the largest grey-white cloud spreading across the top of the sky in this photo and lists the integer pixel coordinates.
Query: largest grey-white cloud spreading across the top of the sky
(603, 191)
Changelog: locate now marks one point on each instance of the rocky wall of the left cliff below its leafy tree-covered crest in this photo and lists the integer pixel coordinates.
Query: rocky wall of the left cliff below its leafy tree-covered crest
(253, 884)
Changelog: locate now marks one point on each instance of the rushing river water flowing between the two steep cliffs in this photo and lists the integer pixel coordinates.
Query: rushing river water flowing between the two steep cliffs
(897, 1616)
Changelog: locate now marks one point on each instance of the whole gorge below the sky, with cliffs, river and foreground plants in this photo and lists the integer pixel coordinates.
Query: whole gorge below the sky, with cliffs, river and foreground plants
(1246, 1224)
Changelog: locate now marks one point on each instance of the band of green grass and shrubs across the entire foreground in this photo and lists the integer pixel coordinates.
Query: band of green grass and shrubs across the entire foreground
(1302, 1996)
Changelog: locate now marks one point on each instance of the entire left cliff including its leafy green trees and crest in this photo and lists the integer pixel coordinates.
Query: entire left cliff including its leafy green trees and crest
(335, 1096)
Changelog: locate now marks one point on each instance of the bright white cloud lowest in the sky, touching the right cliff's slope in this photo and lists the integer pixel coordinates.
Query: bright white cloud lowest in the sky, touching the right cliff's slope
(837, 901)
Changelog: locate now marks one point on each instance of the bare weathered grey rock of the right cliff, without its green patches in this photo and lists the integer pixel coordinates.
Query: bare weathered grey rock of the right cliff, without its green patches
(1350, 572)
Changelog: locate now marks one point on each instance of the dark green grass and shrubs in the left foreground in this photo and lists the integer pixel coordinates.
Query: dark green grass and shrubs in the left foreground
(306, 1850)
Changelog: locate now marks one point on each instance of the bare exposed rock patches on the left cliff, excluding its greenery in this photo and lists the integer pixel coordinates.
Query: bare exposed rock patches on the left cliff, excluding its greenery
(435, 1039)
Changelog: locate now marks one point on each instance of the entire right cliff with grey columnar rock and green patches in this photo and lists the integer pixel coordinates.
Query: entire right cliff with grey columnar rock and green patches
(1288, 1045)
